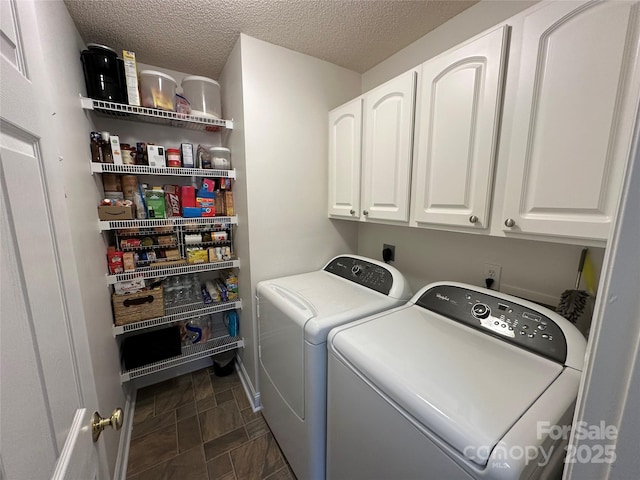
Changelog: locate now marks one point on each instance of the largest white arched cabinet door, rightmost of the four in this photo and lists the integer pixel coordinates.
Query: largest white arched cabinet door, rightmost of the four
(574, 102)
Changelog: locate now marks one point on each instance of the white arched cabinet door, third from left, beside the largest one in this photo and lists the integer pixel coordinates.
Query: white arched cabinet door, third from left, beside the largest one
(457, 133)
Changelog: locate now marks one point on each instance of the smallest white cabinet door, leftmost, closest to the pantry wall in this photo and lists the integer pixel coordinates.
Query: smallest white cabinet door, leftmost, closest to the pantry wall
(345, 155)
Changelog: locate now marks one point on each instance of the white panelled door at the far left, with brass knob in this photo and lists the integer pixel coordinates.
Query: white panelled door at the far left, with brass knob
(47, 393)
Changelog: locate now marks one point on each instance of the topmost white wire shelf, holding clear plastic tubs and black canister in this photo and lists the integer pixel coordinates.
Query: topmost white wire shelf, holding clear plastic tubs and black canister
(153, 115)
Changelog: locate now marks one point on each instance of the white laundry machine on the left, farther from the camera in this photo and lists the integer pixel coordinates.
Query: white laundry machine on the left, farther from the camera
(295, 315)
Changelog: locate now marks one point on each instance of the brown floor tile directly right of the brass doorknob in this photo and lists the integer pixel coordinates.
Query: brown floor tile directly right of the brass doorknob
(147, 451)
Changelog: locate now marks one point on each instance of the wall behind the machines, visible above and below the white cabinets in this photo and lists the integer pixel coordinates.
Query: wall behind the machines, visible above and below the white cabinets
(539, 271)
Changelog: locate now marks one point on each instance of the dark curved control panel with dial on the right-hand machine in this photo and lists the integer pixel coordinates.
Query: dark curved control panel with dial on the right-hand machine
(507, 320)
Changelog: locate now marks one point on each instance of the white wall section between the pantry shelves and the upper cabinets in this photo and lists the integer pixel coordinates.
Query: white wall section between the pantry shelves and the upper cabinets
(287, 96)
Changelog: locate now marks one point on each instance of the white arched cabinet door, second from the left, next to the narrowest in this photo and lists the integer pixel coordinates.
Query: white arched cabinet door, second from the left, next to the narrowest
(388, 127)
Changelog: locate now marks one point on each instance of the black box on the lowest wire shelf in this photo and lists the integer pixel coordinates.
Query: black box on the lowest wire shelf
(150, 347)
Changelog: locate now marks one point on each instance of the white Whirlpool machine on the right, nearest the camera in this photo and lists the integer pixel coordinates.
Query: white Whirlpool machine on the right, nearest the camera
(460, 383)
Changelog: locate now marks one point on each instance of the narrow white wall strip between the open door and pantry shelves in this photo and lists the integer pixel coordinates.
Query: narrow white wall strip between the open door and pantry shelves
(62, 45)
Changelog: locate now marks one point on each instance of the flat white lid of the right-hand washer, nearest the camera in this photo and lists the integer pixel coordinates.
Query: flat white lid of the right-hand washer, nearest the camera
(466, 387)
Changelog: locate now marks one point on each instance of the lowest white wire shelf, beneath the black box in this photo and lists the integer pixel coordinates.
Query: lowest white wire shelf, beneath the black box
(189, 354)
